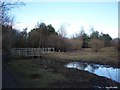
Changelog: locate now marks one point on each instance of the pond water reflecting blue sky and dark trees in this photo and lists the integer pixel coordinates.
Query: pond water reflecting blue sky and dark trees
(101, 70)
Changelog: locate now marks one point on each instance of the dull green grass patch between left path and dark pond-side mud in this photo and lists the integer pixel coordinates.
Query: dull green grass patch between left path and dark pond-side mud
(33, 74)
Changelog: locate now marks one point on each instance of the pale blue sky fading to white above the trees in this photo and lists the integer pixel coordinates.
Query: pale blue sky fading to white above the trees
(102, 16)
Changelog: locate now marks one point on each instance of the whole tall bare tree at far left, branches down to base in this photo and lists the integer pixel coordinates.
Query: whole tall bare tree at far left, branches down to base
(7, 20)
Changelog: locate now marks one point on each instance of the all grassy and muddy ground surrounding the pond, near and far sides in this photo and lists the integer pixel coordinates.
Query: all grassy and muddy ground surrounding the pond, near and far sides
(49, 71)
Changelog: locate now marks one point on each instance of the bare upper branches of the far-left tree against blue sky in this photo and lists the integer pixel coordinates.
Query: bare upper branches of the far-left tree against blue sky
(5, 7)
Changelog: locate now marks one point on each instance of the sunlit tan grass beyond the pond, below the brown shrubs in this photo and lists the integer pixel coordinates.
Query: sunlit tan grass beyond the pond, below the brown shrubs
(107, 55)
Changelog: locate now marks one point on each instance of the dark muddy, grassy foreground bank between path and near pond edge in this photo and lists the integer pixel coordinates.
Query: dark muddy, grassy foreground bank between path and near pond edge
(46, 73)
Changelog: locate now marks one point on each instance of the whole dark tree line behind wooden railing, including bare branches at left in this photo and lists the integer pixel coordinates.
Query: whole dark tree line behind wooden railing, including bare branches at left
(44, 35)
